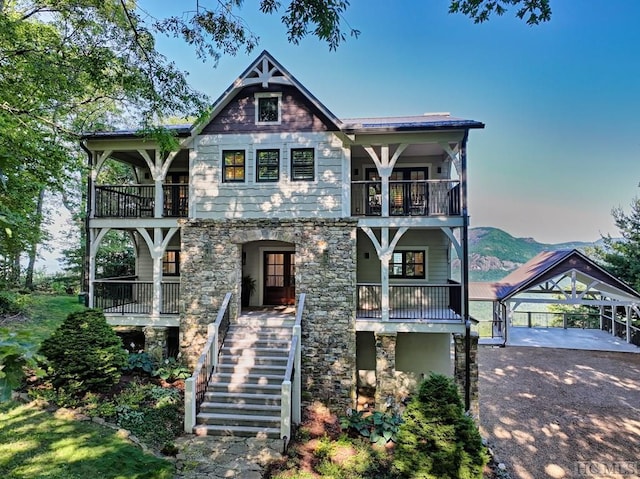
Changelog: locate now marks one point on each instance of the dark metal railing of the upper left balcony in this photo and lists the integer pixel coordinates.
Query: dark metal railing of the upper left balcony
(137, 201)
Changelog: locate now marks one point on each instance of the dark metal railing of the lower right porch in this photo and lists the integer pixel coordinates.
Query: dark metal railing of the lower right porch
(411, 302)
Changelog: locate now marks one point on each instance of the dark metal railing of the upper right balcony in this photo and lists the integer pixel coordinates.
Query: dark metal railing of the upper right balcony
(407, 198)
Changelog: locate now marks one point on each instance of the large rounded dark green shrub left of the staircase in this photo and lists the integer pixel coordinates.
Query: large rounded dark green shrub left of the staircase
(84, 354)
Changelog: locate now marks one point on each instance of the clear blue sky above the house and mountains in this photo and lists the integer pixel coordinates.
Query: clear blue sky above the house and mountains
(560, 101)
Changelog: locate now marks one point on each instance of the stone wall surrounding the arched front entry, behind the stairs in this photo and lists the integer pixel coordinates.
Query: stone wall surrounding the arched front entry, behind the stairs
(211, 266)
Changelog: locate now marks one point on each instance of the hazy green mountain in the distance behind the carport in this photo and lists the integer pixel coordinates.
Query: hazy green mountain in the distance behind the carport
(494, 253)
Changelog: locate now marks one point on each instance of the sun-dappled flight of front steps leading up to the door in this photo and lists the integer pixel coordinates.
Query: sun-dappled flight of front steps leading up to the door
(243, 396)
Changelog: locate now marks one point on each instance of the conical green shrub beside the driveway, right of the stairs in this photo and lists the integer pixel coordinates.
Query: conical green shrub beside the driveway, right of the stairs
(437, 440)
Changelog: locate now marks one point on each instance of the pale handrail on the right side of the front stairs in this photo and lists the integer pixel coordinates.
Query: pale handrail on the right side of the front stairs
(291, 389)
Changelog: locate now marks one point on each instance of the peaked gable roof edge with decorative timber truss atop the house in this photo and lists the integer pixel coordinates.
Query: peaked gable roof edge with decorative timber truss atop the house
(265, 73)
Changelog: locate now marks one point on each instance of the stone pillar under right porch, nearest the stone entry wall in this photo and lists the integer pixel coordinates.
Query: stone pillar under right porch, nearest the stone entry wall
(385, 371)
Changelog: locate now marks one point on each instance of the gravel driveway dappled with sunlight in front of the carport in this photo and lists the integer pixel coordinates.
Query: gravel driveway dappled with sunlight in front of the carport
(561, 413)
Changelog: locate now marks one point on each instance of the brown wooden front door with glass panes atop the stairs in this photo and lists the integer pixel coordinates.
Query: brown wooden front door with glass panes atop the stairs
(279, 277)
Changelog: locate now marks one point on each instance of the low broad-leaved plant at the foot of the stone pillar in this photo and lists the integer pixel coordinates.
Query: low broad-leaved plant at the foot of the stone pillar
(378, 427)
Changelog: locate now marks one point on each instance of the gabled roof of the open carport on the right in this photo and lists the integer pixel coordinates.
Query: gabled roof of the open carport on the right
(543, 267)
